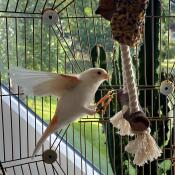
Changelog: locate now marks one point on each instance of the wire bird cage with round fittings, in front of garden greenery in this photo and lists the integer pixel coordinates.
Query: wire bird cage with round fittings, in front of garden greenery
(68, 37)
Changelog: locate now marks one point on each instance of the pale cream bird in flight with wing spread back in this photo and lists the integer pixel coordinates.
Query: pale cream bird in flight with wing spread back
(74, 91)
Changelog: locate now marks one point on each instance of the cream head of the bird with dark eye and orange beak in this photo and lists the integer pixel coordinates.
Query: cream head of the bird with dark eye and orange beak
(94, 75)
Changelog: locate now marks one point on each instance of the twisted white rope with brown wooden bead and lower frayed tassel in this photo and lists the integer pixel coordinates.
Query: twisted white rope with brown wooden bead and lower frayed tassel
(144, 147)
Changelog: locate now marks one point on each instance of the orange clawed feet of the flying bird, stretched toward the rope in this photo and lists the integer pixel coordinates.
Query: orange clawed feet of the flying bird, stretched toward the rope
(105, 101)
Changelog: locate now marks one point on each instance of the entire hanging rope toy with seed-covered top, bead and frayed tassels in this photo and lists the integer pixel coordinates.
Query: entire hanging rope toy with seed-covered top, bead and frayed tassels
(127, 24)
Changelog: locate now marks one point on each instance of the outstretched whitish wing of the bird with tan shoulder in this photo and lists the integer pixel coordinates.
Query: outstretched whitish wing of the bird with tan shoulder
(42, 83)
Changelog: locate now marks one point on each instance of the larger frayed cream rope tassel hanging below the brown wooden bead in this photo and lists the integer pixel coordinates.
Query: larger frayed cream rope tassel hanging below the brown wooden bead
(144, 148)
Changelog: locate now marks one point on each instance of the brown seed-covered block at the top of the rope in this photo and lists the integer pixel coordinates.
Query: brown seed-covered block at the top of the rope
(127, 22)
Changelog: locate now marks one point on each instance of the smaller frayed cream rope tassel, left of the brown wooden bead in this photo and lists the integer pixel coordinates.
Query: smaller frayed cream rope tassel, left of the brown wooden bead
(121, 123)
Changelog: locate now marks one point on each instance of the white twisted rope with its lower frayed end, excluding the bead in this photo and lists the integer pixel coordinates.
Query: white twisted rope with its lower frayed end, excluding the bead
(144, 147)
